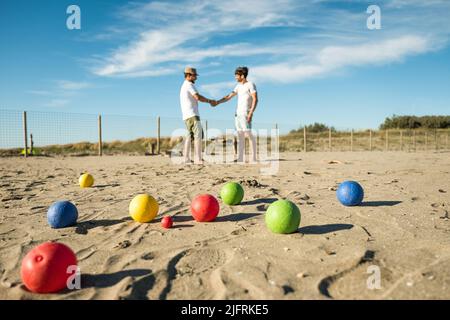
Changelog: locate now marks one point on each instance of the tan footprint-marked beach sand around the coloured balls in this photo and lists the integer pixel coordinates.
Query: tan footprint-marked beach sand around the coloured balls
(403, 228)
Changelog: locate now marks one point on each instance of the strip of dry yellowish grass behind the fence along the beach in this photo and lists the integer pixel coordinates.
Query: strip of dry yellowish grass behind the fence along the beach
(395, 140)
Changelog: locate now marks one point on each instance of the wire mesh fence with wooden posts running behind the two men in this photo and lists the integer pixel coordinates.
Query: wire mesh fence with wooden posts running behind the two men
(57, 133)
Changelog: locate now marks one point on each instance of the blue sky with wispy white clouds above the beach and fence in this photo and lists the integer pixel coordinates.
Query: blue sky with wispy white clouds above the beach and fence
(312, 61)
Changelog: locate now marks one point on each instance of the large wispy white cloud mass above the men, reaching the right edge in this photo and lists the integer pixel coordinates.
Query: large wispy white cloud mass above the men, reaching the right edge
(183, 33)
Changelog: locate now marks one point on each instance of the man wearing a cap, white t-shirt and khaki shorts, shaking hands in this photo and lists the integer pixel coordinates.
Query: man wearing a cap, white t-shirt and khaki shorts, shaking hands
(189, 98)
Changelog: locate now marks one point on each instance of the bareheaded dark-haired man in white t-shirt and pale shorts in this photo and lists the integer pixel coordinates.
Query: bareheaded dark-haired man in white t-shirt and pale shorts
(247, 101)
